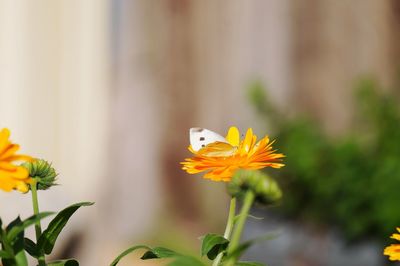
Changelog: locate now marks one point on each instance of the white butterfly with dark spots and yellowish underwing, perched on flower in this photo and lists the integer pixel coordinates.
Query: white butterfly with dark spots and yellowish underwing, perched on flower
(210, 143)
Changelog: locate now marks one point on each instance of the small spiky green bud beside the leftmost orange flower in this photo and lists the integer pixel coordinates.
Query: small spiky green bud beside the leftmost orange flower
(42, 171)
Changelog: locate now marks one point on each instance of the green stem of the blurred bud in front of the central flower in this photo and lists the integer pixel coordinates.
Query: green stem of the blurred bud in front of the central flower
(237, 233)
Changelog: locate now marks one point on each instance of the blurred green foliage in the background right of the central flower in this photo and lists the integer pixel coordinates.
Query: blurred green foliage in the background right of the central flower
(351, 182)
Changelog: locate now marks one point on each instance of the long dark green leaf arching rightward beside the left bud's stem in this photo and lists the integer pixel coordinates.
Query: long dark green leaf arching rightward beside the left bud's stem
(48, 239)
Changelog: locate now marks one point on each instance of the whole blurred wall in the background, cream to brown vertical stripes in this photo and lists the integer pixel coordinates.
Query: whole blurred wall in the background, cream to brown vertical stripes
(107, 91)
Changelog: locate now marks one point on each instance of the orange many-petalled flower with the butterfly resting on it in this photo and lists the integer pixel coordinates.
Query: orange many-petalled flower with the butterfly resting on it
(221, 159)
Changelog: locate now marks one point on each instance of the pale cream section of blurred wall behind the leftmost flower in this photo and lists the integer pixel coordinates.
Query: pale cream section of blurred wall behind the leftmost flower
(54, 87)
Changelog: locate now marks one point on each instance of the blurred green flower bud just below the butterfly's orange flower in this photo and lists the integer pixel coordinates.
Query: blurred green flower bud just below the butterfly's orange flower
(265, 188)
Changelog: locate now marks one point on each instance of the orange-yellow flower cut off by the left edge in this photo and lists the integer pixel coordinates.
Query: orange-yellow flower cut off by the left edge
(12, 176)
